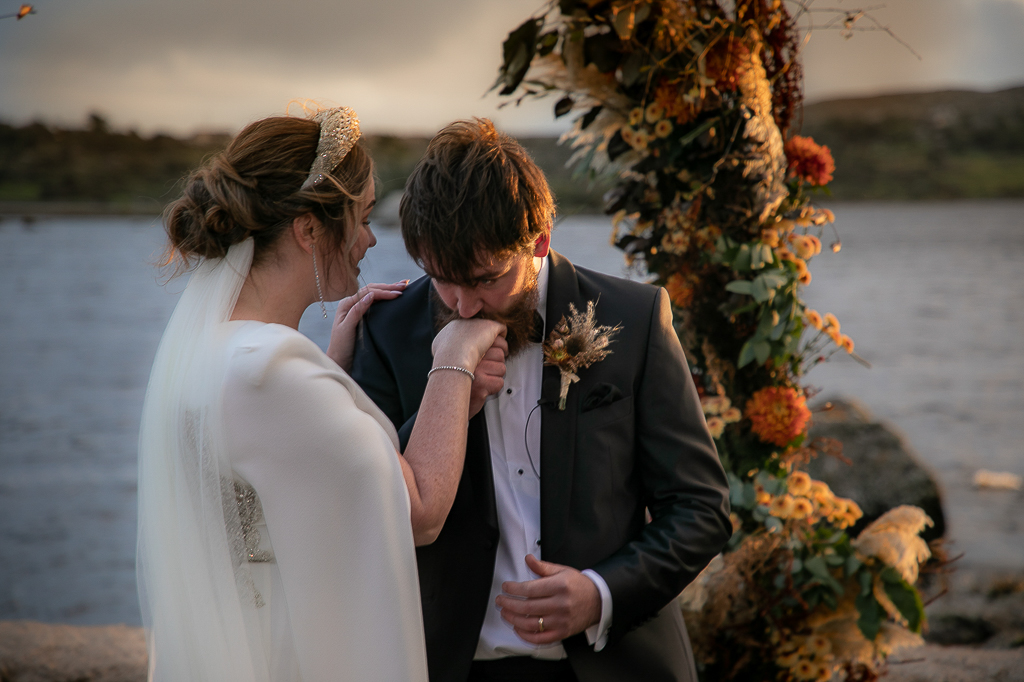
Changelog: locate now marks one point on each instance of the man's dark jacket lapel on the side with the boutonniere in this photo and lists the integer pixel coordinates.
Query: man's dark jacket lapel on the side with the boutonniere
(558, 427)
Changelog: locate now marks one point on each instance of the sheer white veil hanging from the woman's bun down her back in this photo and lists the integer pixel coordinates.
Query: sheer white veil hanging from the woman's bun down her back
(196, 590)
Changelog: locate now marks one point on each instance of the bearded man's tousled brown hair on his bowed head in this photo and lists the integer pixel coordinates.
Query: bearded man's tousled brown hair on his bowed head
(476, 194)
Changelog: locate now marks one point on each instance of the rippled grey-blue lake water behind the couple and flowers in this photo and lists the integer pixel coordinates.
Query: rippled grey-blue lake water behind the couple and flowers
(933, 295)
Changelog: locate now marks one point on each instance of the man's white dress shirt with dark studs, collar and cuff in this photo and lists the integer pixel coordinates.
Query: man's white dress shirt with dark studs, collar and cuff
(515, 433)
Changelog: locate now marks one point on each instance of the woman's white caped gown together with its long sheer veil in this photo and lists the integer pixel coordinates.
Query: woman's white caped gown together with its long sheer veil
(274, 530)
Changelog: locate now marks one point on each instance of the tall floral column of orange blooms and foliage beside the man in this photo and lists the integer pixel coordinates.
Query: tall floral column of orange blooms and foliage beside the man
(690, 104)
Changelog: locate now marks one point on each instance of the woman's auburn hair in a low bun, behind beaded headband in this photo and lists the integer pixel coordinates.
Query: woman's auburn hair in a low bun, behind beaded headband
(254, 189)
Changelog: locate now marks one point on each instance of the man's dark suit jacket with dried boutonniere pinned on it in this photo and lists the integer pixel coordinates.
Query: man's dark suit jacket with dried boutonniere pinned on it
(632, 438)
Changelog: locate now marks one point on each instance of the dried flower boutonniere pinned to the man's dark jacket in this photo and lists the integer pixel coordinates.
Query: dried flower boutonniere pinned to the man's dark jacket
(576, 345)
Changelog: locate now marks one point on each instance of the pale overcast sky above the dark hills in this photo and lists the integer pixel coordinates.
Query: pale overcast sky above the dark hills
(406, 66)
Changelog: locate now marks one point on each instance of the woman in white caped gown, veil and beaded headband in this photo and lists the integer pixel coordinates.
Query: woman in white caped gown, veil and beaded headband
(277, 520)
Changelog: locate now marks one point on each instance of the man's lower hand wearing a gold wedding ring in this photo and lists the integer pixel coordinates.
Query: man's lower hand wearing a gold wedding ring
(568, 601)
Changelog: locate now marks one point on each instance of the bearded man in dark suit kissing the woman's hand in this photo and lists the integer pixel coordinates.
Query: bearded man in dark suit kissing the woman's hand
(547, 568)
